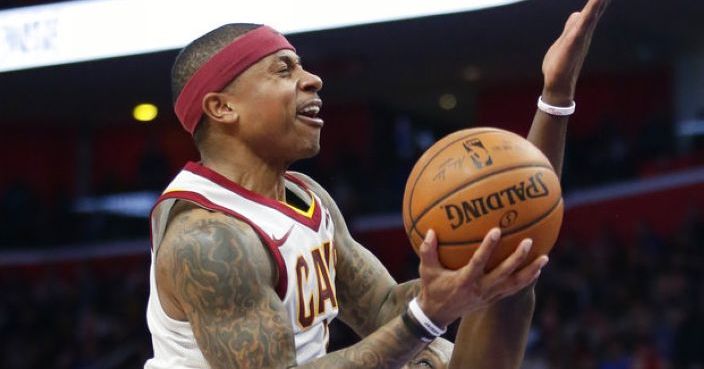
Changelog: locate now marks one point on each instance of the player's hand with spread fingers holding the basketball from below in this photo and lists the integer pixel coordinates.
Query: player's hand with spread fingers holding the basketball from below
(448, 294)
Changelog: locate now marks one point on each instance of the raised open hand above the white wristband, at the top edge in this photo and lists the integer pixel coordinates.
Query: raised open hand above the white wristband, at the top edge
(563, 61)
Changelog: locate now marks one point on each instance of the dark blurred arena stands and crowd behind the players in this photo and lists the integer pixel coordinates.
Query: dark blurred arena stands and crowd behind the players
(625, 285)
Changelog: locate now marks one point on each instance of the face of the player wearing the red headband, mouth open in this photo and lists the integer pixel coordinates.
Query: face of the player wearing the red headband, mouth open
(278, 104)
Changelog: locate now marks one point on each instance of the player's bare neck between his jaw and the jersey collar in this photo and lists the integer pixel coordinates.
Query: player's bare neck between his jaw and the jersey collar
(251, 173)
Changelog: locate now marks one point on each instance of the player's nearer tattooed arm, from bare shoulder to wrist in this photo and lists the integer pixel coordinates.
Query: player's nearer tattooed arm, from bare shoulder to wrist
(213, 271)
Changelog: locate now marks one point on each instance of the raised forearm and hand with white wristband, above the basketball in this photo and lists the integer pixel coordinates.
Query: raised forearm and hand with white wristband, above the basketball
(561, 67)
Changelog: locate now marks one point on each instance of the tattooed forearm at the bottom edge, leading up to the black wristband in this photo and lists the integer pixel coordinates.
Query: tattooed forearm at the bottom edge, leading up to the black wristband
(391, 346)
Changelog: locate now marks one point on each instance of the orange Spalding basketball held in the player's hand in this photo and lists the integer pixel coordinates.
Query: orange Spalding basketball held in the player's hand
(476, 179)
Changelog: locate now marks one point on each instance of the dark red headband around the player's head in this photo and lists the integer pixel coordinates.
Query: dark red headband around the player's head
(224, 67)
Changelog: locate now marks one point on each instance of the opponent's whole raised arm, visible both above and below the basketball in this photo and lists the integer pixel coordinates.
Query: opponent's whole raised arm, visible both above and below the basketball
(495, 337)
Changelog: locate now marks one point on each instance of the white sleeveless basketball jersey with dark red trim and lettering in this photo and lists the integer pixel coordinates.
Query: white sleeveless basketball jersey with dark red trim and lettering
(300, 242)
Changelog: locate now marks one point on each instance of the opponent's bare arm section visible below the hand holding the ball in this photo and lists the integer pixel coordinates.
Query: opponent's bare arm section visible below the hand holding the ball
(495, 337)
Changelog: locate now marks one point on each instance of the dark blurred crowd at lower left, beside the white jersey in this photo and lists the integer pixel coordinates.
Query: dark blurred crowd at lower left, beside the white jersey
(88, 315)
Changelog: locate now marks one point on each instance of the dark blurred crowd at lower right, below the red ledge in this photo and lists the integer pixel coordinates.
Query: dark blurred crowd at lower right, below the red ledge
(615, 304)
